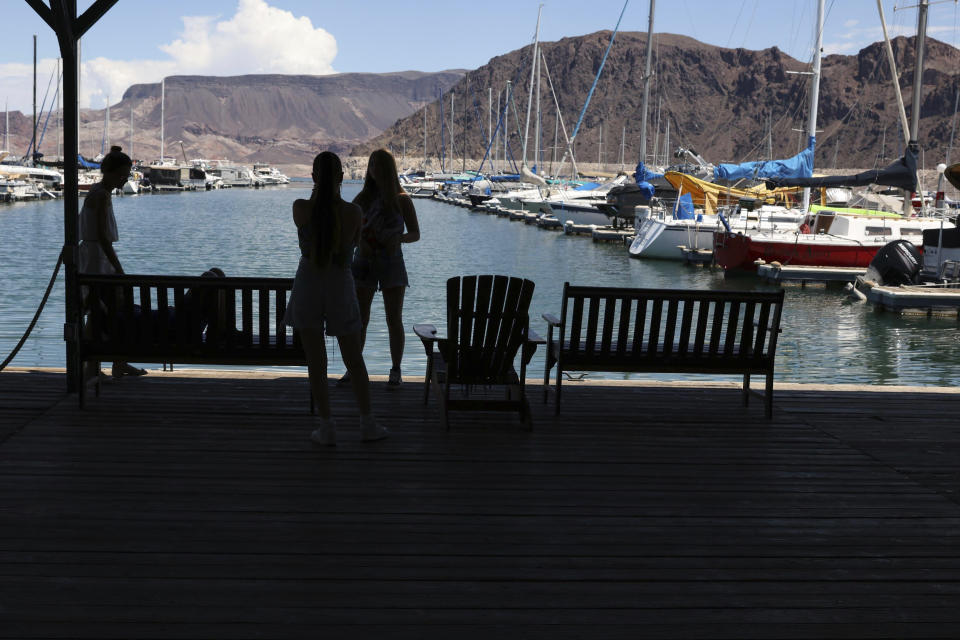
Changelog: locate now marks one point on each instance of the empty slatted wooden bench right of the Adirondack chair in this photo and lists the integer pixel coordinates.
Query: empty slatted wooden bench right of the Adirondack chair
(665, 331)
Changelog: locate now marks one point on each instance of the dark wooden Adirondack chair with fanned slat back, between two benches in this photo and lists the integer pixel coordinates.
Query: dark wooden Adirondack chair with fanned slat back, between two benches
(487, 325)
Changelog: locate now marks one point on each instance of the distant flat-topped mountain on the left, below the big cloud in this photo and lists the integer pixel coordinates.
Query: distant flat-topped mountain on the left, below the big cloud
(272, 118)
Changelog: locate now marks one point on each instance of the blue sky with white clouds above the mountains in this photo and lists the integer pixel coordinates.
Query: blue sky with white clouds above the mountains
(139, 41)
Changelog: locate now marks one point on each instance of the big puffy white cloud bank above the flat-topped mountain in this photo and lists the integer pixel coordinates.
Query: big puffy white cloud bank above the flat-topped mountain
(258, 38)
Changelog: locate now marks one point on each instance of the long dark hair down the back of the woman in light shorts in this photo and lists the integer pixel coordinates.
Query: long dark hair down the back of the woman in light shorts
(324, 223)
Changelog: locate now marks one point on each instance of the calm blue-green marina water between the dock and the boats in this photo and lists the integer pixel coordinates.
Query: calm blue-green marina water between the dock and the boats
(251, 233)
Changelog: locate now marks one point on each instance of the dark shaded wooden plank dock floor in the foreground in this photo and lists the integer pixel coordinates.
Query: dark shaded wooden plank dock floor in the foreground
(196, 507)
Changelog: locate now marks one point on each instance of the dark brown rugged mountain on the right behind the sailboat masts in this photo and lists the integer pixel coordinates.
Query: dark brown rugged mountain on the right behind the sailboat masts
(721, 102)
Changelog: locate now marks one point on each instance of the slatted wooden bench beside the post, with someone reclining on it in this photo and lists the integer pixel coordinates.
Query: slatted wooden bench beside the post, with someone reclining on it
(185, 320)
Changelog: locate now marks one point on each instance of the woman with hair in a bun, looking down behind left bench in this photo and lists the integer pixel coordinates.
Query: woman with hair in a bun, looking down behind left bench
(98, 232)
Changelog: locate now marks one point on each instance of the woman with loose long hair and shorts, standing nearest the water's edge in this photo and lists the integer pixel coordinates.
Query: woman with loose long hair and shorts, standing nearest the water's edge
(389, 220)
